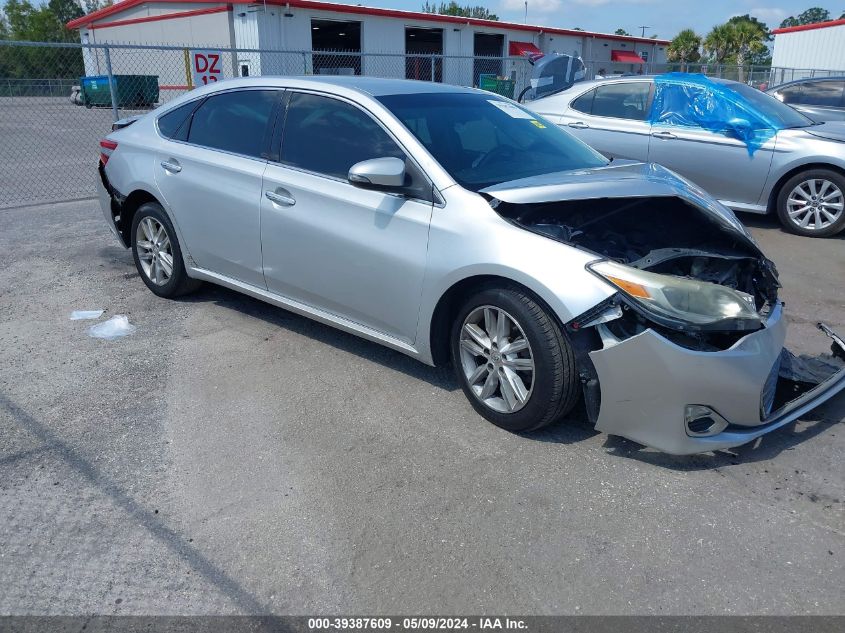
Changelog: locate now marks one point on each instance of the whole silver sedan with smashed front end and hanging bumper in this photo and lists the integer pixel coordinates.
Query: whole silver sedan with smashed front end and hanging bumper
(457, 227)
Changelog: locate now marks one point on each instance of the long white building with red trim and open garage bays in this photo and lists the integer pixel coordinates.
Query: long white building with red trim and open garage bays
(305, 36)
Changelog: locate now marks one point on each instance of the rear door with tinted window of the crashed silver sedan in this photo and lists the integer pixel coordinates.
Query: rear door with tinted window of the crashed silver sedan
(210, 174)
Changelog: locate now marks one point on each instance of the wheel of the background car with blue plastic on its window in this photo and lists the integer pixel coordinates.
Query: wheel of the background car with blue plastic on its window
(812, 203)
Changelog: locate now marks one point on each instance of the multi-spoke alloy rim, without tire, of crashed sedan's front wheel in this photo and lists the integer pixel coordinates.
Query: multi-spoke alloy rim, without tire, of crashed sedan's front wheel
(496, 359)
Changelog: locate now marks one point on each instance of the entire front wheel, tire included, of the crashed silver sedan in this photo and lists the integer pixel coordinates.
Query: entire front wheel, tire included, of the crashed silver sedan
(512, 360)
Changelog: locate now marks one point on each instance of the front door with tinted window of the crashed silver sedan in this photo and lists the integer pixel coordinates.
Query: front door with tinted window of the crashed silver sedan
(356, 253)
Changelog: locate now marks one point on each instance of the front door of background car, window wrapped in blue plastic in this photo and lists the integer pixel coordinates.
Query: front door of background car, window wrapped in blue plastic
(718, 162)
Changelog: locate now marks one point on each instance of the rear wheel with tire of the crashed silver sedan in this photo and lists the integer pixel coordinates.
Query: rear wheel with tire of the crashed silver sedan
(157, 254)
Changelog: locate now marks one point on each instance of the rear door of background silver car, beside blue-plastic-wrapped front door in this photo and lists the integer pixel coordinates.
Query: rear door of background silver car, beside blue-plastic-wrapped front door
(611, 118)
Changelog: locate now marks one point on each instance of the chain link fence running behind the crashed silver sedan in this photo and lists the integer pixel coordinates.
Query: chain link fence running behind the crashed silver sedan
(58, 100)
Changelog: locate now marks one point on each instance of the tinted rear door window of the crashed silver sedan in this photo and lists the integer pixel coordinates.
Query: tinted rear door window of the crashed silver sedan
(236, 121)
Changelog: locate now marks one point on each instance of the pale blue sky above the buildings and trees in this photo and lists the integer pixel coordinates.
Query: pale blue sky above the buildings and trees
(664, 17)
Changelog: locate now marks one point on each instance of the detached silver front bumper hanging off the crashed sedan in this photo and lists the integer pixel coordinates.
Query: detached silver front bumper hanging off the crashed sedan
(647, 383)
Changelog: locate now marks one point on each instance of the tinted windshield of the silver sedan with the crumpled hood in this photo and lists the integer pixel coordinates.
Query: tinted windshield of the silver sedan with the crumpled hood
(484, 140)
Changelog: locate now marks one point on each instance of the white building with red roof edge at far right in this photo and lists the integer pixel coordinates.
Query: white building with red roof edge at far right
(818, 46)
